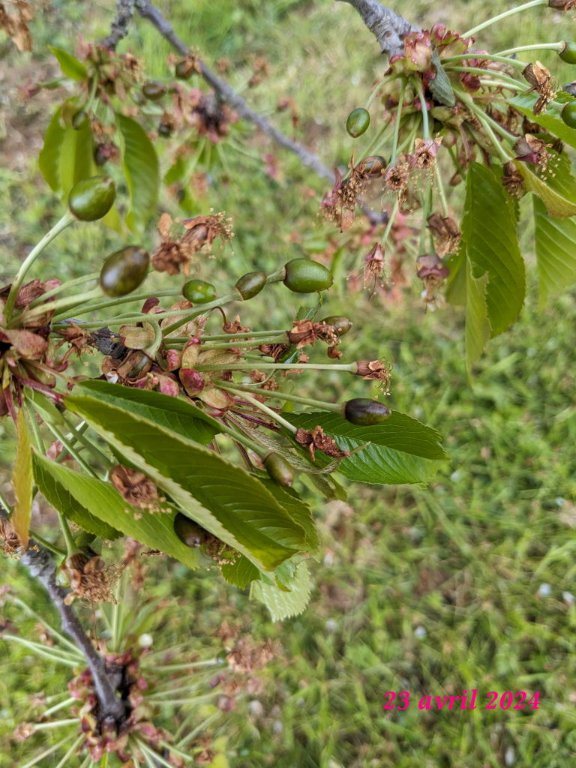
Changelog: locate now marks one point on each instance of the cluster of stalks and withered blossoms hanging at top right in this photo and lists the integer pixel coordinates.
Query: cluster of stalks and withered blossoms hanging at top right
(445, 103)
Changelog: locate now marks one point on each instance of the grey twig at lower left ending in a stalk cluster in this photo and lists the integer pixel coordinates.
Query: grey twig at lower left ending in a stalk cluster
(42, 567)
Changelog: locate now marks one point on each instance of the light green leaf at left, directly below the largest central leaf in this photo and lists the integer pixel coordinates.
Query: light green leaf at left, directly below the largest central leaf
(104, 502)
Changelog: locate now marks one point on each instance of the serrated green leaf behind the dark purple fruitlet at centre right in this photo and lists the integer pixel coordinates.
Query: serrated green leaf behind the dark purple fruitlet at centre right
(401, 450)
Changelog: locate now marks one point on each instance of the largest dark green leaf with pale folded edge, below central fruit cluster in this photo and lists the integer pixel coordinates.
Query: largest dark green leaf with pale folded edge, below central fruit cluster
(220, 497)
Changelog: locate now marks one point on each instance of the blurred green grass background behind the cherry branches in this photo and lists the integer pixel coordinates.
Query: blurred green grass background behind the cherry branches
(465, 584)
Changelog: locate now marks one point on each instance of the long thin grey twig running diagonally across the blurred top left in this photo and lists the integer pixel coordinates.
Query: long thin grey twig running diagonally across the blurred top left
(229, 95)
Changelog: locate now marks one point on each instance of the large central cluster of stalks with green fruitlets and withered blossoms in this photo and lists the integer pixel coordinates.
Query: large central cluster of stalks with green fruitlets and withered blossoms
(232, 374)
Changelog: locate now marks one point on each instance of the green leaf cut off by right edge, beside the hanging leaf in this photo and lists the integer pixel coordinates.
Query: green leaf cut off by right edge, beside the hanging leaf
(555, 252)
